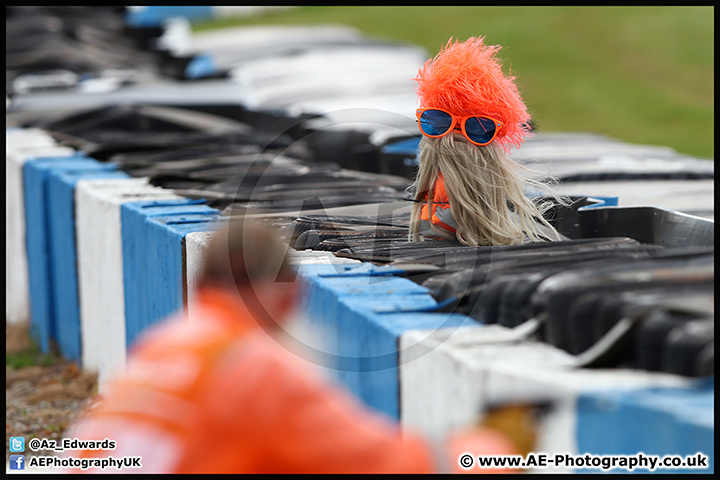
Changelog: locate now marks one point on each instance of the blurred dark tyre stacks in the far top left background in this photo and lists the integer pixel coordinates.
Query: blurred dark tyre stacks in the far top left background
(91, 50)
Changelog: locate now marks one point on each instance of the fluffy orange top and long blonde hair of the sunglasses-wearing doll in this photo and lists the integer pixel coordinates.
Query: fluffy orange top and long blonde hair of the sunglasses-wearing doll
(486, 189)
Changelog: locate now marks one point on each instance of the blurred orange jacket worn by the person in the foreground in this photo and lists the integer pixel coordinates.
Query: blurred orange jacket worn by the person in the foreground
(219, 395)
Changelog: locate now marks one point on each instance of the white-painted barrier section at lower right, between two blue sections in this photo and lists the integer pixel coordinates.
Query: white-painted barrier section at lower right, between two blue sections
(448, 377)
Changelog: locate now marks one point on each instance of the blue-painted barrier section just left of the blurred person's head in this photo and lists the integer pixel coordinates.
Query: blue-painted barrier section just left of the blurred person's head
(153, 263)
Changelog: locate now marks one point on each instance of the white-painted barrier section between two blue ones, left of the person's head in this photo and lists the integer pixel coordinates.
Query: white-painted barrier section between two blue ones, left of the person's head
(100, 268)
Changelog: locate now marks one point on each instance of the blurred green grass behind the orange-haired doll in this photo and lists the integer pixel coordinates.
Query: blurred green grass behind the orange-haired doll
(640, 74)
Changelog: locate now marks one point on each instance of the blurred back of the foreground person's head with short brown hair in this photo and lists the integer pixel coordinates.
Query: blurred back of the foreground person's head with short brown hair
(248, 258)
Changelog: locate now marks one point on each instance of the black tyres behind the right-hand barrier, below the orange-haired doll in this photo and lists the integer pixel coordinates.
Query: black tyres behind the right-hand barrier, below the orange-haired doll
(613, 301)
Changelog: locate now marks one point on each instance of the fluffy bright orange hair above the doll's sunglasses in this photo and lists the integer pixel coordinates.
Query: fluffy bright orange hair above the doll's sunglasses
(467, 79)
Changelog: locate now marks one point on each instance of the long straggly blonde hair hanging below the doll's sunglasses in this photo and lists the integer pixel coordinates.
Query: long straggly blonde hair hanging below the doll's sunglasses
(480, 181)
